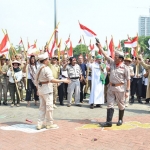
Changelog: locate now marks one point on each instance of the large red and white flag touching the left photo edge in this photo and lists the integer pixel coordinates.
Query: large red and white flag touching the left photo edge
(5, 45)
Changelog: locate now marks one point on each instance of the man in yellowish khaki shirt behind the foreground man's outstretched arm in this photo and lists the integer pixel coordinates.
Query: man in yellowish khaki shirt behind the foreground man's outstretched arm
(56, 73)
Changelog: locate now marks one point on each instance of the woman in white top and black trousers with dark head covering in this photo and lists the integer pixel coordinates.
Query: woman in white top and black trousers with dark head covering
(31, 70)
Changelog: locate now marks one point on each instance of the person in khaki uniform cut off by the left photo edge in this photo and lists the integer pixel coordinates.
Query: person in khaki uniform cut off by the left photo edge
(3, 80)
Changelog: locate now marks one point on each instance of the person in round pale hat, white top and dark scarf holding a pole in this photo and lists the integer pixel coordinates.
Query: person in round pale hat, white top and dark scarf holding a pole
(15, 76)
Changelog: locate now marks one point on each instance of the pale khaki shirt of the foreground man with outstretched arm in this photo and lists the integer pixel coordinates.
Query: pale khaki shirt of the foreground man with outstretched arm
(44, 76)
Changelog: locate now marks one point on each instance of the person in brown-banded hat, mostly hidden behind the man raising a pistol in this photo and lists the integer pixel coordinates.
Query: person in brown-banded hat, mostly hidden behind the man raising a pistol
(127, 62)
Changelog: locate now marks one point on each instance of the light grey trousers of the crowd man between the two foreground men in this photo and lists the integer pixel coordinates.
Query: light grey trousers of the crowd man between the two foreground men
(74, 86)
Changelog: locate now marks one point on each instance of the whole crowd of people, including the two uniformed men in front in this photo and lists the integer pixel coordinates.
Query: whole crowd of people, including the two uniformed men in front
(105, 79)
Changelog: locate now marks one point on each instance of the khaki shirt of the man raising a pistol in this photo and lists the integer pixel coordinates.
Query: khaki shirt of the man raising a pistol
(118, 75)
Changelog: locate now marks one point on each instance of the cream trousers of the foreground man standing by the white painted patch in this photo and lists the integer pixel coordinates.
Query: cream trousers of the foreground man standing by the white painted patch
(46, 109)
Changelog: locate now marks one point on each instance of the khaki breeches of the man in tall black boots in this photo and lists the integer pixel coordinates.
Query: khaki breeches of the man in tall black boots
(113, 96)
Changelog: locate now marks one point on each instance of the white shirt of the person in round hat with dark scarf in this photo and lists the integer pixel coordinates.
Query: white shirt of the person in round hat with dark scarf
(18, 76)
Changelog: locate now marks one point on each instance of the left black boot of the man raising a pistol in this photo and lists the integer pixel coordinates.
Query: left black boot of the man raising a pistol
(108, 122)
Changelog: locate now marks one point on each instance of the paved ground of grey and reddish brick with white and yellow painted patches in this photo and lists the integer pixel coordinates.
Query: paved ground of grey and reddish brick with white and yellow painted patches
(78, 129)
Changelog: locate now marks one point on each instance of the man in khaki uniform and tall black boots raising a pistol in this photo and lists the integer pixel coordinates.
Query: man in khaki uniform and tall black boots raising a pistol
(119, 73)
